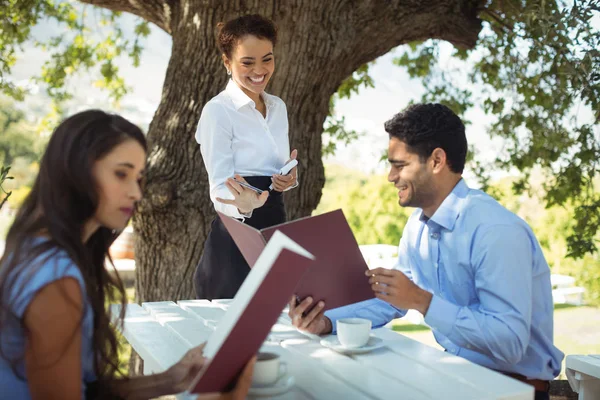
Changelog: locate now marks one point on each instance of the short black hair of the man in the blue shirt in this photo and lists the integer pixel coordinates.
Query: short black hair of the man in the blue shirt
(425, 127)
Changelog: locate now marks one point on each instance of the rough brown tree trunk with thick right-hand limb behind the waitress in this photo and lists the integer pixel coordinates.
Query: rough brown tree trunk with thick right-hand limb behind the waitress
(320, 44)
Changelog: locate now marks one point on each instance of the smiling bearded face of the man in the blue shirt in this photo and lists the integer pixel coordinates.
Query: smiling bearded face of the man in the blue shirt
(412, 178)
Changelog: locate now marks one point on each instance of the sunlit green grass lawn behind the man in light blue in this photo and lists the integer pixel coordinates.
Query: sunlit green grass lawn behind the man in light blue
(575, 331)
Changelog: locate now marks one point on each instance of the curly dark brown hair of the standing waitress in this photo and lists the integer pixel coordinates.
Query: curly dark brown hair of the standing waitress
(230, 32)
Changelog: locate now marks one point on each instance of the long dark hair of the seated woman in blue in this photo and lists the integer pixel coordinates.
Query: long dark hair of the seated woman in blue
(63, 198)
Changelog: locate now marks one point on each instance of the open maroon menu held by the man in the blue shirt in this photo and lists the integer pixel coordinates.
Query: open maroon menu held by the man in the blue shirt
(337, 276)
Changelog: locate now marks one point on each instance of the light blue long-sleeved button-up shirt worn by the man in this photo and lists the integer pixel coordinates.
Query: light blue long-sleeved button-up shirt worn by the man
(492, 297)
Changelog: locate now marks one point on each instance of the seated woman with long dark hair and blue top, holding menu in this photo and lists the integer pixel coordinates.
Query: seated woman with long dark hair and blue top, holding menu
(56, 341)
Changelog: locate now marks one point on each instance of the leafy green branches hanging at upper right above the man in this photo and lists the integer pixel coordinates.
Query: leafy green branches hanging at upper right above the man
(539, 64)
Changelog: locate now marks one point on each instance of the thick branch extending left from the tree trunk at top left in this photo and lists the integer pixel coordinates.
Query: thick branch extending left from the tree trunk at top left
(156, 11)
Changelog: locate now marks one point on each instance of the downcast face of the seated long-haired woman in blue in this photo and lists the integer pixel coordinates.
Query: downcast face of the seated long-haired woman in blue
(118, 176)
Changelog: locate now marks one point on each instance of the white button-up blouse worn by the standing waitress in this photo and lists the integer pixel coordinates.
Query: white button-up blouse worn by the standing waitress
(235, 138)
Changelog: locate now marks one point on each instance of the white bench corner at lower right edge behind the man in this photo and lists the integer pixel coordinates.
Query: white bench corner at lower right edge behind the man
(583, 373)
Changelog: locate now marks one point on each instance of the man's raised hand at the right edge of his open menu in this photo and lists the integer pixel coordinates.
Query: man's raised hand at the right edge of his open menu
(395, 288)
